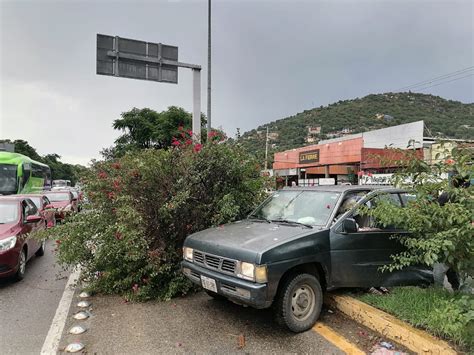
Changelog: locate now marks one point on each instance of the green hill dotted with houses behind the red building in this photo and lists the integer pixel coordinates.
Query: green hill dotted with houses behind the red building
(443, 118)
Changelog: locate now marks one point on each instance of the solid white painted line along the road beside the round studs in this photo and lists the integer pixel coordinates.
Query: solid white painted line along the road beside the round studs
(51, 343)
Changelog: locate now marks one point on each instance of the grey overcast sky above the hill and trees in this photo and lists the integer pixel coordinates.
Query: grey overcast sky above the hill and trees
(271, 59)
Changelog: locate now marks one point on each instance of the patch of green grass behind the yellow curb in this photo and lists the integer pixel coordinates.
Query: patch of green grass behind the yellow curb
(441, 313)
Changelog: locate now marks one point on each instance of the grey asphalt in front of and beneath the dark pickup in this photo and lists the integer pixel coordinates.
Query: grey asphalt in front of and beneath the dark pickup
(194, 324)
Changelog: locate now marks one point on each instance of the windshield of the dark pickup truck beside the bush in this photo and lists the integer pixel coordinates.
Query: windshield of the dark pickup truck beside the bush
(306, 207)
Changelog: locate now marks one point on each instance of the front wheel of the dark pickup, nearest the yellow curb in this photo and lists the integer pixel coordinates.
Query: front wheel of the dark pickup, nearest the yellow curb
(298, 303)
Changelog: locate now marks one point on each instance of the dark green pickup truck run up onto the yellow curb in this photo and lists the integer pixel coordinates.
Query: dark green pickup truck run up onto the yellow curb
(299, 243)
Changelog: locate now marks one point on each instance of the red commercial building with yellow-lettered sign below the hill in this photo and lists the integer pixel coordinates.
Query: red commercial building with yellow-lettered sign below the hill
(357, 158)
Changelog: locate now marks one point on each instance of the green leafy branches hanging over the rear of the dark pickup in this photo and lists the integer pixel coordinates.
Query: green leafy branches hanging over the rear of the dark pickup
(440, 231)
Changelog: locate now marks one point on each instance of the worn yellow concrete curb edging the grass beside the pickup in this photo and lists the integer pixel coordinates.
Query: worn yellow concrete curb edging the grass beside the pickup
(414, 339)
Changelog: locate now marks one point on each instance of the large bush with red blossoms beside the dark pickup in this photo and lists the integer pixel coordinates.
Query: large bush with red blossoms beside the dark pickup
(142, 207)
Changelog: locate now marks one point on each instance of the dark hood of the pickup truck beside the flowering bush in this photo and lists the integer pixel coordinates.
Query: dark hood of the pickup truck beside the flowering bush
(243, 240)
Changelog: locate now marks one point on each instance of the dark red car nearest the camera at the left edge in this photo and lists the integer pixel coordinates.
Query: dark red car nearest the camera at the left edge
(18, 218)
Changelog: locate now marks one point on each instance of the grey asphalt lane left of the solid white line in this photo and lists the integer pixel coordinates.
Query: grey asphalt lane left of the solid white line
(27, 308)
